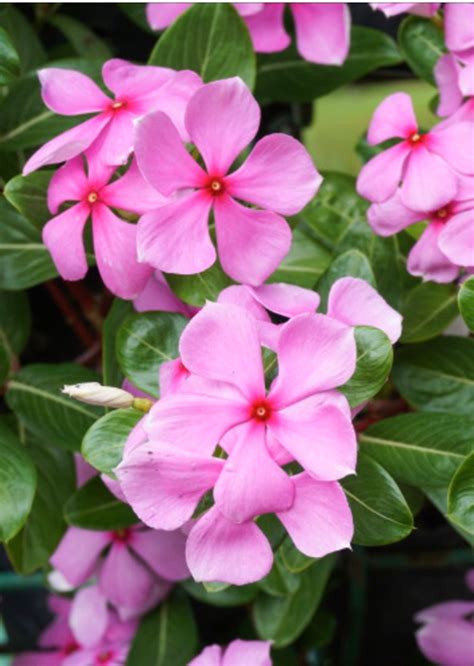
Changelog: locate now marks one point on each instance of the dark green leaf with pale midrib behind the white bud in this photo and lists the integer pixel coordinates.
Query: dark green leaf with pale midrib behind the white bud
(34, 394)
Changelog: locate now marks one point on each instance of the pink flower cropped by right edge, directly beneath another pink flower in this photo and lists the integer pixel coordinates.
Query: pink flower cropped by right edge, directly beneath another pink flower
(447, 242)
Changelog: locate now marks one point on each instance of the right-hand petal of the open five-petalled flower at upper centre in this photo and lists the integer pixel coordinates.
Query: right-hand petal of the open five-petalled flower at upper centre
(278, 175)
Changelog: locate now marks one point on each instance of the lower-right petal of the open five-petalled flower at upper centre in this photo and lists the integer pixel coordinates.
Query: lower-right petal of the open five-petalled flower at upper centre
(260, 237)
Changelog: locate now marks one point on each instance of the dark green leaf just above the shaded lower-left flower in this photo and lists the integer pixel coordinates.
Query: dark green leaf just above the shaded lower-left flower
(93, 507)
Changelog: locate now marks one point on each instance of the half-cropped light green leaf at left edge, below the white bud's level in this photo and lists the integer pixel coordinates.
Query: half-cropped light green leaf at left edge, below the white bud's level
(17, 483)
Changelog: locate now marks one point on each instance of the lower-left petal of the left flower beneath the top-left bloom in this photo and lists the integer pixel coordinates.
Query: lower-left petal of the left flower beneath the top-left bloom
(62, 235)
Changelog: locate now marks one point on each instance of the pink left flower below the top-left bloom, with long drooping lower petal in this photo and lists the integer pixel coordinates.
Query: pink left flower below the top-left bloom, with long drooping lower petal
(114, 239)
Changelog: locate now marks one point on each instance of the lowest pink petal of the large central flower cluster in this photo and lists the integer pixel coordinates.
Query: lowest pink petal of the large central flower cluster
(218, 550)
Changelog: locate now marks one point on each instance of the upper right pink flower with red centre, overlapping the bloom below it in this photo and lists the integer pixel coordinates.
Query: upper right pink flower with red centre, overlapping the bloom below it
(427, 164)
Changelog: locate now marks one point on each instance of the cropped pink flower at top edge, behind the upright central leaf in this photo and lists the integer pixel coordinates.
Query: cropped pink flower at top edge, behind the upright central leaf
(322, 29)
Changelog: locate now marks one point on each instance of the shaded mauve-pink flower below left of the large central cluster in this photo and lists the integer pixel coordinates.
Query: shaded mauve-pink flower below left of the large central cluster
(135, 566)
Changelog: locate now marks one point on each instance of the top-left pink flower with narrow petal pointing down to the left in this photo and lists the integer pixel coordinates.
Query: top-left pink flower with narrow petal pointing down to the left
(137, 90)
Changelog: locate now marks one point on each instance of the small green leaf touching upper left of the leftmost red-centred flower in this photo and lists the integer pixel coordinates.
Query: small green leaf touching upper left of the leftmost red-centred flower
(28, 194)
